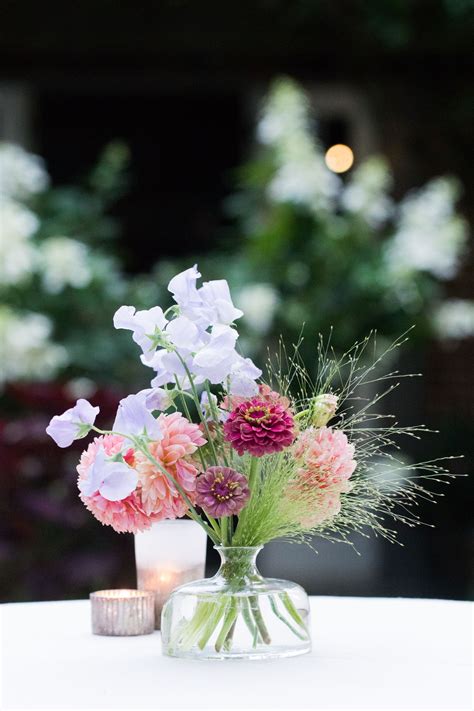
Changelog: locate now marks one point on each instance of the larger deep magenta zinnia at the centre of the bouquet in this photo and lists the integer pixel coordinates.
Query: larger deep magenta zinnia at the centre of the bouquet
(259, 427)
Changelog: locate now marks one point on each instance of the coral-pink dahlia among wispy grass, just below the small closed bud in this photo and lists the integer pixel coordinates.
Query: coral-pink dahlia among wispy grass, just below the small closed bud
(327, 456)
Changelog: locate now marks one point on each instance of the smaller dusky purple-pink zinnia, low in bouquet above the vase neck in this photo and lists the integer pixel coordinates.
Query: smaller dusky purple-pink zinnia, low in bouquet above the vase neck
(222, 491)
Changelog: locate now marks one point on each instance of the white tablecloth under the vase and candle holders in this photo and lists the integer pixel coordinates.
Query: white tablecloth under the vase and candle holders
(368, 653)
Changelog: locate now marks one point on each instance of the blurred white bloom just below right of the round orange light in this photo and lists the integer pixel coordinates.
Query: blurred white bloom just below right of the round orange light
(366, 192)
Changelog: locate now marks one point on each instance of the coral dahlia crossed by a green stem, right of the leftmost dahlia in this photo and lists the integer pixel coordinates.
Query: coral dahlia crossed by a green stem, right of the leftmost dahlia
(180, 439)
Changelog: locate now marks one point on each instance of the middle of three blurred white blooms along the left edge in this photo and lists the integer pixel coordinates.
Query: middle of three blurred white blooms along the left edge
(17, 253)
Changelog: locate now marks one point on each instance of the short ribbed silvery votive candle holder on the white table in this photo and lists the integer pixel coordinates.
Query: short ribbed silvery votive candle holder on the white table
(122, 612)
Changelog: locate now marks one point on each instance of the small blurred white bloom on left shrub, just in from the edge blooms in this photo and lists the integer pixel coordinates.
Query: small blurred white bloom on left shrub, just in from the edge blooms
(64, 262)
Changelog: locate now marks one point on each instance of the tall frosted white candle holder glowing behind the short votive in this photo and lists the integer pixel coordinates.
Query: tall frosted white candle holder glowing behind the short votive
(168, 555)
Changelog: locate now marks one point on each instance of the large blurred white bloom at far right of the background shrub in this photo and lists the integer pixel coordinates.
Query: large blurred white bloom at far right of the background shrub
(430, 236)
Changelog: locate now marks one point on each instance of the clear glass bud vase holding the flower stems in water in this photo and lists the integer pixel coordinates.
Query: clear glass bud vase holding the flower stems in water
(237, 614)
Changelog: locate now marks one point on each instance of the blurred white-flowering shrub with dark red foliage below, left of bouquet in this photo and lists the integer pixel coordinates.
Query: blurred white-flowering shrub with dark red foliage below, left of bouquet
(60, 283)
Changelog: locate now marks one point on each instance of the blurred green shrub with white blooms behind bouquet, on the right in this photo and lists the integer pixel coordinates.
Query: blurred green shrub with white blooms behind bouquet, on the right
(335, 252)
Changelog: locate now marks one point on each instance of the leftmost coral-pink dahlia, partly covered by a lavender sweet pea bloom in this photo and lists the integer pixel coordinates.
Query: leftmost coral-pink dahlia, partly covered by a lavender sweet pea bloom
(125, 516)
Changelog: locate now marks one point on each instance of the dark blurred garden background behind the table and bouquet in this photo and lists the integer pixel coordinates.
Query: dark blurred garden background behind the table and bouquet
(385, 245)
